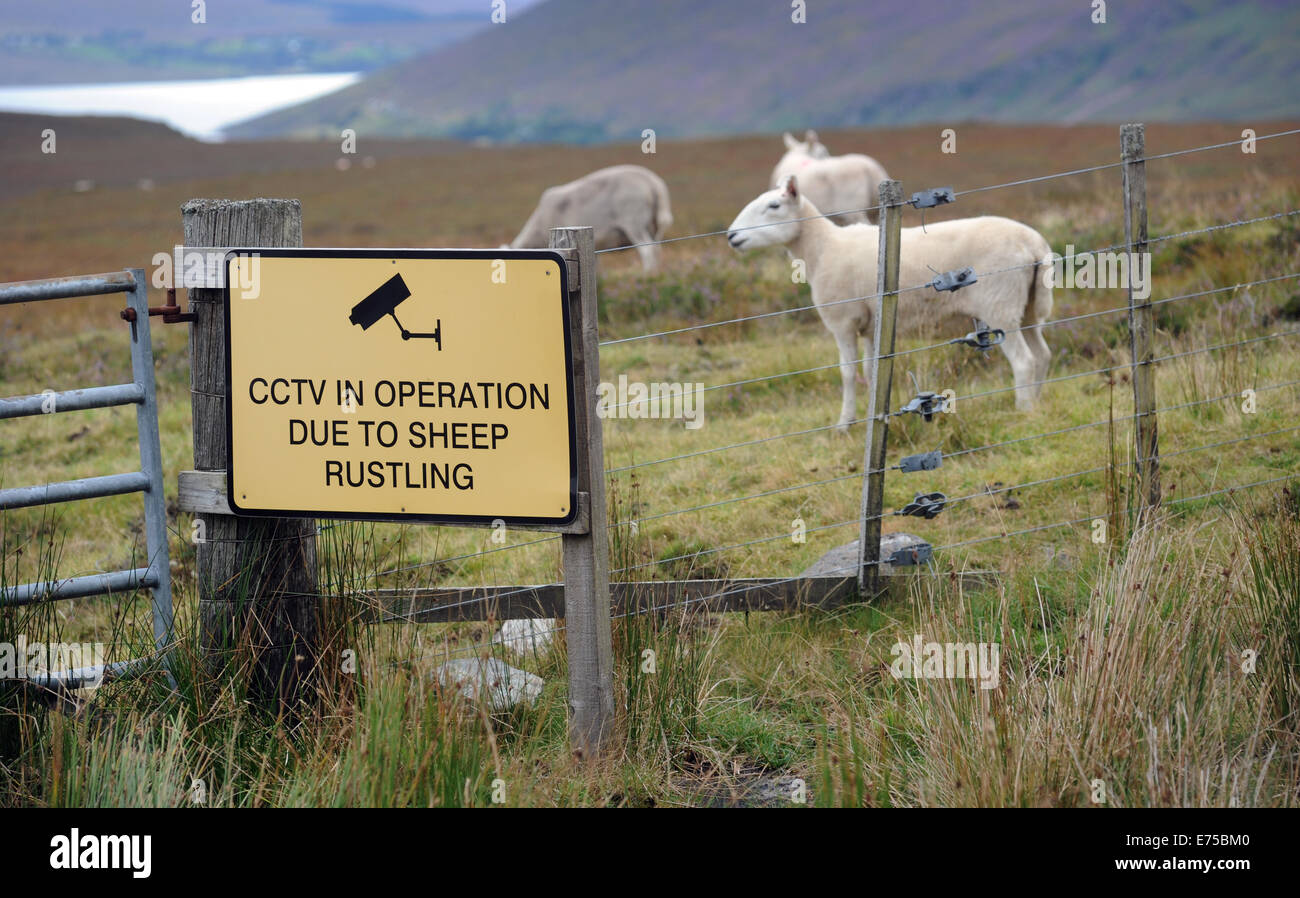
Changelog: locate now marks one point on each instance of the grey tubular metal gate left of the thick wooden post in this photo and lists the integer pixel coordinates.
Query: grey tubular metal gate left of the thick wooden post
(149, 480)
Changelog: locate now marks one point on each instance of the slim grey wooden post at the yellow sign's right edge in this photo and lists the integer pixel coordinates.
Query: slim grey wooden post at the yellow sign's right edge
(587, 556)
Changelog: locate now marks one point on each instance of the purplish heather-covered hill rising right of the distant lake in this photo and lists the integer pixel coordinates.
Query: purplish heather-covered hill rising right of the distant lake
(586, 72)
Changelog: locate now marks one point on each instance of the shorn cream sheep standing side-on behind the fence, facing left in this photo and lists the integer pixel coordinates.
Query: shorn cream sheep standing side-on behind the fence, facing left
(842, 264)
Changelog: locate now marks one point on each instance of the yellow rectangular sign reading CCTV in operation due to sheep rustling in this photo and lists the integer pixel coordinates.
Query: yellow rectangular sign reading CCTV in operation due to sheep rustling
(400, 385)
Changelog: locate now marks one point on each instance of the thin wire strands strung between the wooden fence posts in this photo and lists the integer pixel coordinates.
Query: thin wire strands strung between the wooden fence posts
(363, 588)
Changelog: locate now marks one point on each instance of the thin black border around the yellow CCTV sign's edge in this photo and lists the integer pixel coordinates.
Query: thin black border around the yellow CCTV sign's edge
(473, 520)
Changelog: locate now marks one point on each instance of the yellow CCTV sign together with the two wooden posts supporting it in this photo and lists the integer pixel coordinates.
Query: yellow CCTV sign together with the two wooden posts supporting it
(448, 387)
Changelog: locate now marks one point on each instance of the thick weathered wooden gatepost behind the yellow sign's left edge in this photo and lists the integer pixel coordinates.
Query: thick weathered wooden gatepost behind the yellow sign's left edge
(257, 576)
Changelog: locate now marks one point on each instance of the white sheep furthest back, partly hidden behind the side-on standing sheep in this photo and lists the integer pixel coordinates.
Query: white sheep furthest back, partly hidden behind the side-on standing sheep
(834, 184)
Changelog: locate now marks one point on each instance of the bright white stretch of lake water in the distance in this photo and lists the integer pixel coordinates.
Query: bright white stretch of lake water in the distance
(198, 109)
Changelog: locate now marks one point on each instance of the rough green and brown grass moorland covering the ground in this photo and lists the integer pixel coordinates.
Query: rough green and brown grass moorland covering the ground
(1121, 662)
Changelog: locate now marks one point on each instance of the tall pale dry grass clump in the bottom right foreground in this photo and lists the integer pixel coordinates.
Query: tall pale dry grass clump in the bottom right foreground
(1141, 700)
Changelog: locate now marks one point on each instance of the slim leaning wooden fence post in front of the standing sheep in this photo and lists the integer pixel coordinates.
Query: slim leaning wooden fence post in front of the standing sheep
(881, 384)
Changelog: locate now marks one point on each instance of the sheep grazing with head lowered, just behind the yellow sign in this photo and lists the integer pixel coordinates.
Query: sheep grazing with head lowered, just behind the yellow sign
(625, 205)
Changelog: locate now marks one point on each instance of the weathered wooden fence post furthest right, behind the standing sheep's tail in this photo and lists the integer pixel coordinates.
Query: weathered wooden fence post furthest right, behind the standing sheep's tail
(1133, 145)
